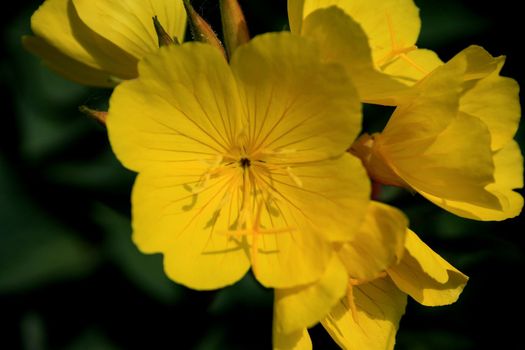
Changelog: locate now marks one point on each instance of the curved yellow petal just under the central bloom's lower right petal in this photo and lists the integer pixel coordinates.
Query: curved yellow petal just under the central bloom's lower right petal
(302, 307)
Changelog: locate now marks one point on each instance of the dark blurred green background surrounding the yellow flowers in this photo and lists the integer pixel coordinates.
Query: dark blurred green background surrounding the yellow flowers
(70, 278)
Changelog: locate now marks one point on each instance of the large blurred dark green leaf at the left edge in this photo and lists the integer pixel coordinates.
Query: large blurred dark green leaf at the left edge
(35, 248)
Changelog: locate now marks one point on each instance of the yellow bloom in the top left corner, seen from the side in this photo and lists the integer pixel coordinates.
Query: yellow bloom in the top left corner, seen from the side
(99, 42)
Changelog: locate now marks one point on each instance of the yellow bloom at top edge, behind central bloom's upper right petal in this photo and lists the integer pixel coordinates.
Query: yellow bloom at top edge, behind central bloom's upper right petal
(375, 40)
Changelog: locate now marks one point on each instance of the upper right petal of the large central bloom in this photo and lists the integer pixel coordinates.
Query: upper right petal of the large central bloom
(295, 104)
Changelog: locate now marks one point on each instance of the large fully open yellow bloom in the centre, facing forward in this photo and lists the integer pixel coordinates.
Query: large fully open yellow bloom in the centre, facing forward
(243, 164)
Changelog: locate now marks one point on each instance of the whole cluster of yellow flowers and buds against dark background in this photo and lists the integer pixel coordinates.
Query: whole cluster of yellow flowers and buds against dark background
(253, 157)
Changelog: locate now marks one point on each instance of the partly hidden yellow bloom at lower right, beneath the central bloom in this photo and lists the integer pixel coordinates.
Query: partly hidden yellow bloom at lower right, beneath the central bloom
(367, 316)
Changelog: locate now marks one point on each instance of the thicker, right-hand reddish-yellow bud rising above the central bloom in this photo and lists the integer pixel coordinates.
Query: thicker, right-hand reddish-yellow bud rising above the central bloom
(234, 26)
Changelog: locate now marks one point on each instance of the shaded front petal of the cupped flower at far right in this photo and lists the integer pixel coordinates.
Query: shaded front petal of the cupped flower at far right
(436, 150)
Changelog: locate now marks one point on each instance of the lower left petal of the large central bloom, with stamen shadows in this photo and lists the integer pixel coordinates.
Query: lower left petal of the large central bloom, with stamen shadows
(187, 227)
